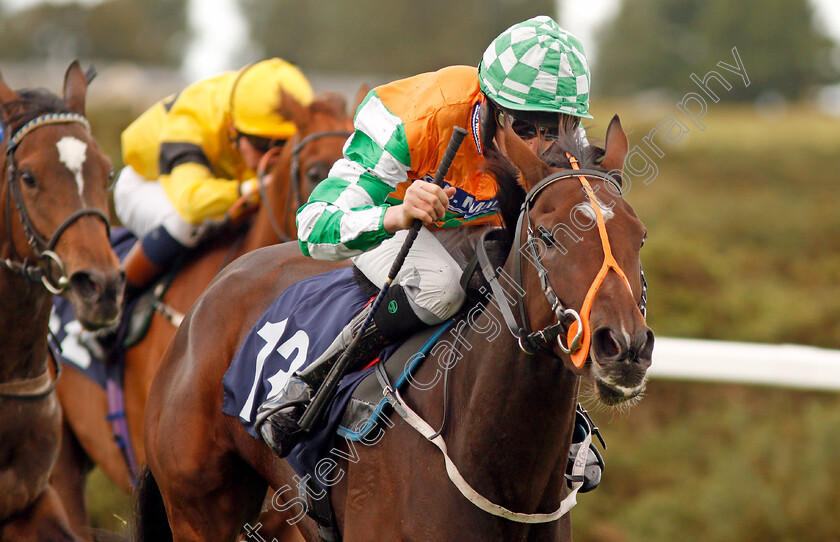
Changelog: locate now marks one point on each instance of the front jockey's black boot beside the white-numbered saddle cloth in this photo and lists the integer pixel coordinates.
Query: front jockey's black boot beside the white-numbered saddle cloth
(277, 417)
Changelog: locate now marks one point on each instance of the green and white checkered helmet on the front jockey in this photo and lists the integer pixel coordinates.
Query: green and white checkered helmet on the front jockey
(537, 66)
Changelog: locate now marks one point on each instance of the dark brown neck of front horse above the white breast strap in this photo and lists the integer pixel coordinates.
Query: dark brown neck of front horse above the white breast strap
(517, 409)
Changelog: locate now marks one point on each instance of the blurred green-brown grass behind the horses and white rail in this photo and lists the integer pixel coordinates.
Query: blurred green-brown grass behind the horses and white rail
(744, 244)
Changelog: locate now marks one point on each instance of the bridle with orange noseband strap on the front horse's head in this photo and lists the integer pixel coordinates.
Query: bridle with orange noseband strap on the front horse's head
(578, 335)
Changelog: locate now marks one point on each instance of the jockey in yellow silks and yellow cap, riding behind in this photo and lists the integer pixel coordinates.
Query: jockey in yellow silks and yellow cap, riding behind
(203, 146)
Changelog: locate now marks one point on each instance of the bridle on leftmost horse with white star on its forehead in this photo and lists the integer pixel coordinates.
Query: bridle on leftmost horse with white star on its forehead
(39, 270)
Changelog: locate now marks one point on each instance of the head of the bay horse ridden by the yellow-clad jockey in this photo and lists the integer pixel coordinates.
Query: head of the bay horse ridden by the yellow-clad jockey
(304, 161)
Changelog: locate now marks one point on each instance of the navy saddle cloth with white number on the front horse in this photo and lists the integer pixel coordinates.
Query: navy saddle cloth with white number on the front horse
(295, 330)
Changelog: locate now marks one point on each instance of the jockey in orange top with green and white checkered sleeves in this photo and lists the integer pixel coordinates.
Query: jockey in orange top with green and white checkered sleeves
(534, 76)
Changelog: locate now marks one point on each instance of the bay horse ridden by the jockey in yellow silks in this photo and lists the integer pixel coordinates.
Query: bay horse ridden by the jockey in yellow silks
(88, 438)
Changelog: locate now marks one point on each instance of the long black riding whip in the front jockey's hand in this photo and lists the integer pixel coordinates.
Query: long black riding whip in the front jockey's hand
(327, 390)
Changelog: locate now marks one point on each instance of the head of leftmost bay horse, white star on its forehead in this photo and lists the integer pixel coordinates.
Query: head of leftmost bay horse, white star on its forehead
(55, 213)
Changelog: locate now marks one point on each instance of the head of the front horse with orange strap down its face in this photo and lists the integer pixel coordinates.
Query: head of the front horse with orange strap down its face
(582, 240)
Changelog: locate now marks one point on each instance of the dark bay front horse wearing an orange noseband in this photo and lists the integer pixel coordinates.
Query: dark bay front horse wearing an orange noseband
(574, 259)
